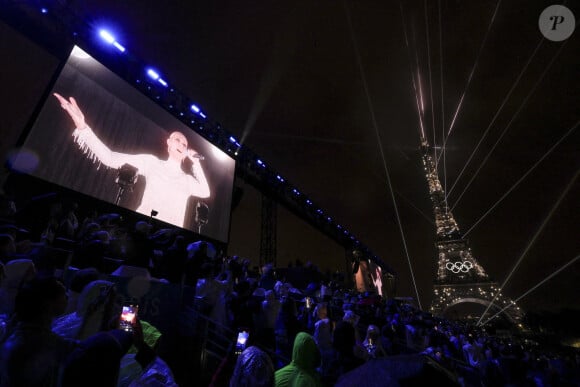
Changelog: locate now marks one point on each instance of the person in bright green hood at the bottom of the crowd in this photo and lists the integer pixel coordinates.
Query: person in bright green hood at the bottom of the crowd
(302, 369)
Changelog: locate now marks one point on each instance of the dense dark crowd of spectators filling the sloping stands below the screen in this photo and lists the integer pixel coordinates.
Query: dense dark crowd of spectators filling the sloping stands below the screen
(59, 316)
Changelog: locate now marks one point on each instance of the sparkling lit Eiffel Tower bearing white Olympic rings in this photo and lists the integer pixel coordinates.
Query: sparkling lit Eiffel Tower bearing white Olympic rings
(460, 278)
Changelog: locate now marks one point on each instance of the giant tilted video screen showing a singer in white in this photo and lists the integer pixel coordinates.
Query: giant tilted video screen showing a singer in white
(98, 135)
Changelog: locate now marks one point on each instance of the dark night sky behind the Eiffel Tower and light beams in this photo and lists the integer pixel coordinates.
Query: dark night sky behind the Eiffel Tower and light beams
(323, 92)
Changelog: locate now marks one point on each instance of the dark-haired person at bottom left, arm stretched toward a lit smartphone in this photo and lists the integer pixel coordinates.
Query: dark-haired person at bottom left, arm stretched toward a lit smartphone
(34, 355)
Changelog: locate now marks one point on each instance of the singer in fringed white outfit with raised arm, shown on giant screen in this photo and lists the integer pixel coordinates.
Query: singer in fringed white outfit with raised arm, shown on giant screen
(168, 187)
